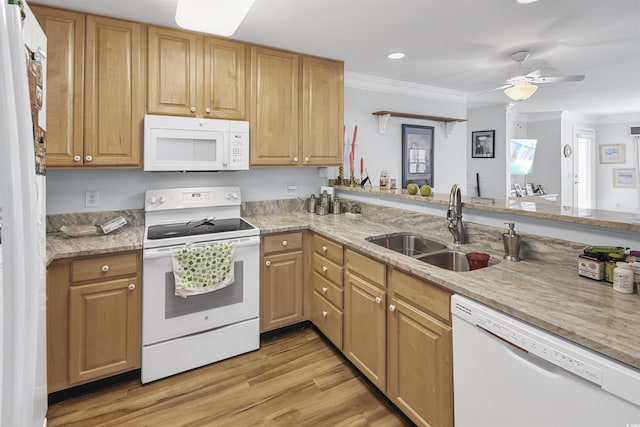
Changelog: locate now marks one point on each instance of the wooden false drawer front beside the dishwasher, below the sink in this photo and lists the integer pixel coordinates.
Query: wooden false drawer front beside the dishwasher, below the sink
(421, 293)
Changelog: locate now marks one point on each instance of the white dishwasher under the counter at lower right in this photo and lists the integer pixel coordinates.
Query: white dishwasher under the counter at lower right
(510, 373)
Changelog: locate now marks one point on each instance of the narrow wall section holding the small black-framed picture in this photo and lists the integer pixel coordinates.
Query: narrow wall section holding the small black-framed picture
(492, 171)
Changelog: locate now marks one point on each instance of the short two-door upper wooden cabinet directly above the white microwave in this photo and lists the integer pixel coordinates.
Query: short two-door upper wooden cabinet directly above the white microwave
(194, 75)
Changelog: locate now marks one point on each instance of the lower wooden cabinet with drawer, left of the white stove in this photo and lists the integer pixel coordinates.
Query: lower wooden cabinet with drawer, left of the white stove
(93, 318)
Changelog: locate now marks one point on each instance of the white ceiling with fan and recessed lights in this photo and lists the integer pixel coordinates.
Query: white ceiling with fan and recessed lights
(460, 45)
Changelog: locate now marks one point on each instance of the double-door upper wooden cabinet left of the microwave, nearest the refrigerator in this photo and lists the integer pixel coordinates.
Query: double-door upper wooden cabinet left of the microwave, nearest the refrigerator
(95, 89)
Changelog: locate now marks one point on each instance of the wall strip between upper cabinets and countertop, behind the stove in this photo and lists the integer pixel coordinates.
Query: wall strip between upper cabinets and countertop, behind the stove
(124, 189)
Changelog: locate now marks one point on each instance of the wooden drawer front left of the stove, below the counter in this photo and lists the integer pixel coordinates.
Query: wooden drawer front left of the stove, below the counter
(104, 267)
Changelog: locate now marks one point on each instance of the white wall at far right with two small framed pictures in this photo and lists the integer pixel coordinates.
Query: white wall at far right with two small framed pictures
(615, 130)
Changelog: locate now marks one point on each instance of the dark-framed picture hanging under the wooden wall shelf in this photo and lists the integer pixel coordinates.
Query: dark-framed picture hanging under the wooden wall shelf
(417, 155)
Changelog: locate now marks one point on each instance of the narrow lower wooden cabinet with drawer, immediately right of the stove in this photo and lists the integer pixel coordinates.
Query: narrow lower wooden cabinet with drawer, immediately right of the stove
(281, 290)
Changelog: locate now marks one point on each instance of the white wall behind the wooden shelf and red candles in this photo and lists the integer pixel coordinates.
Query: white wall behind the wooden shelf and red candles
(365, 95)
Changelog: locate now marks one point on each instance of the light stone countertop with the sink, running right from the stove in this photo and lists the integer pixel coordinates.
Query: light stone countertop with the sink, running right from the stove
(549, 295)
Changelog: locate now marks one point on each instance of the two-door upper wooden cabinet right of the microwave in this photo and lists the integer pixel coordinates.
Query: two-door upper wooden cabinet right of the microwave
(297, 109)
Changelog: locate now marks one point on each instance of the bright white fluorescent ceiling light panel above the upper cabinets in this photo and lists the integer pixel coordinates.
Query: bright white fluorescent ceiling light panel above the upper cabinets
(221, 17)
